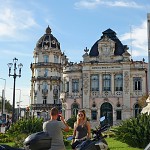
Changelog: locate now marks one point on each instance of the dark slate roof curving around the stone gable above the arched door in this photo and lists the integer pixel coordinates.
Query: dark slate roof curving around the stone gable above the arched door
(119, 47)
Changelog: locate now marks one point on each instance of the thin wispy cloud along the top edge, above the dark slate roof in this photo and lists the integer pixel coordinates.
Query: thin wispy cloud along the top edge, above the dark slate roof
(91, 4)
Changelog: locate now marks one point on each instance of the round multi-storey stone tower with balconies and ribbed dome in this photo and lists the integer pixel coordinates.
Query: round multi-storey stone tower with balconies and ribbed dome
(46, 82)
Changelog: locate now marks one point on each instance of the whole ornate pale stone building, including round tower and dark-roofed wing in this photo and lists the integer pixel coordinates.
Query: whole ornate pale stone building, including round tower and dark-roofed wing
(107, 82)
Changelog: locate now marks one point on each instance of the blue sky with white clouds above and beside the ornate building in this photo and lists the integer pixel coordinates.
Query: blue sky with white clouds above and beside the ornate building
(75, 23)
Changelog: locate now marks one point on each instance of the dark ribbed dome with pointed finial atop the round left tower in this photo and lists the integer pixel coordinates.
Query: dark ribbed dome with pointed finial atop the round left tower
(48, 40)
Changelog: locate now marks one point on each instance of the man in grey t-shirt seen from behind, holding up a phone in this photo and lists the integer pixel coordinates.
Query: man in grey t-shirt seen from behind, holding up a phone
(54, 128)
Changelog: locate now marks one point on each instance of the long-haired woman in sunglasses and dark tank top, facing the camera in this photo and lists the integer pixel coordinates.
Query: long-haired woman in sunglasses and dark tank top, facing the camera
(82, 129)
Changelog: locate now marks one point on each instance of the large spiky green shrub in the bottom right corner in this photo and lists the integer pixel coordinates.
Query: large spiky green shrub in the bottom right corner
(135, 131)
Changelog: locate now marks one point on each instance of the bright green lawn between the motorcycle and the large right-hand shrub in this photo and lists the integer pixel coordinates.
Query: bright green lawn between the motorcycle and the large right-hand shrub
(115, 145)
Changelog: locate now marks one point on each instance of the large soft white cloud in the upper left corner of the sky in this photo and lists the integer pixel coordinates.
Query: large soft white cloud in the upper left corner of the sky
(13, 21)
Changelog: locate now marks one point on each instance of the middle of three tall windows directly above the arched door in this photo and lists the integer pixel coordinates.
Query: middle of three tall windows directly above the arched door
(106, 82)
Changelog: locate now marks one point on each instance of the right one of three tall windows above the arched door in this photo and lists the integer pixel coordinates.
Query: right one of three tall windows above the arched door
(118, 82)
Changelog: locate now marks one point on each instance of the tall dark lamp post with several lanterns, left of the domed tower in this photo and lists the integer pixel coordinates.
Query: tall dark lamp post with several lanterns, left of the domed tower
(14, 75)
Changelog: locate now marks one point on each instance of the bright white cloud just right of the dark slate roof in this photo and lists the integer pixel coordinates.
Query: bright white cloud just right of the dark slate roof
(137, 39)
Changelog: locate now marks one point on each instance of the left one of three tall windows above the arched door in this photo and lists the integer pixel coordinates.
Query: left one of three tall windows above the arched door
(94, 83)
